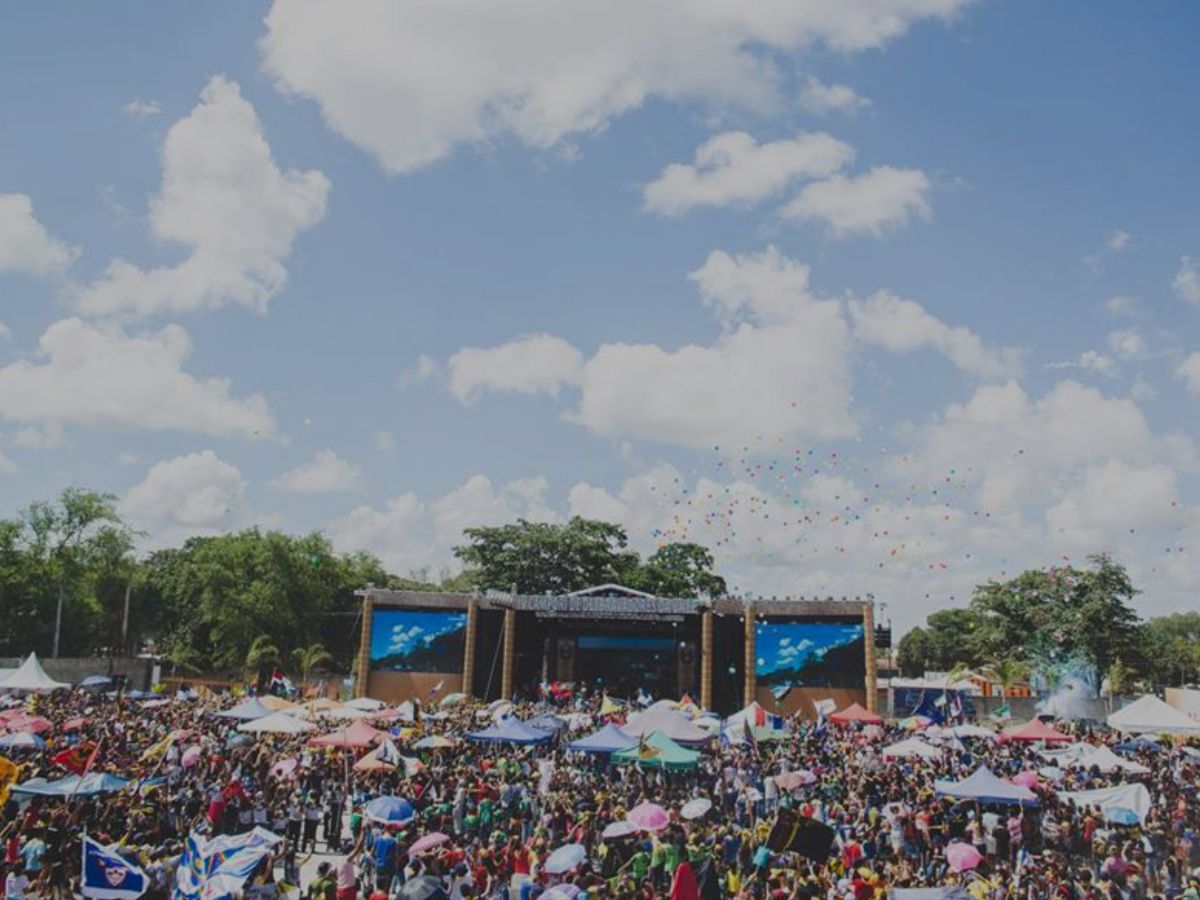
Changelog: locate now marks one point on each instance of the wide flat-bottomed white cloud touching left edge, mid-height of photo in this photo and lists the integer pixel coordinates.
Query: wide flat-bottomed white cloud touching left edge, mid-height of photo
(104, 379)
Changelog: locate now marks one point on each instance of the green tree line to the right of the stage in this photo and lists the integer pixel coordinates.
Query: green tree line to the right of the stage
(1054, 621)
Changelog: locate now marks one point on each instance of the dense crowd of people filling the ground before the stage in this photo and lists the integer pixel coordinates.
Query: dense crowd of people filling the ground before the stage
(482, 820)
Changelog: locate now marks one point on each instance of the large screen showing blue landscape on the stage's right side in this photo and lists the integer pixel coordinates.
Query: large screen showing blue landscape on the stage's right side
(811, 655)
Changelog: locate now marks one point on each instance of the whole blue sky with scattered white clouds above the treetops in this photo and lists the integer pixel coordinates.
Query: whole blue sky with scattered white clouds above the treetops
(886, 297)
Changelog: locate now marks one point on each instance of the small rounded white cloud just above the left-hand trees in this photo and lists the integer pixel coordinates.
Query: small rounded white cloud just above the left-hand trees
(195, 494)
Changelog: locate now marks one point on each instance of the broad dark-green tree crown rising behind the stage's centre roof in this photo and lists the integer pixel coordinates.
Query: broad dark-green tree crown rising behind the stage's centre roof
(538, 557)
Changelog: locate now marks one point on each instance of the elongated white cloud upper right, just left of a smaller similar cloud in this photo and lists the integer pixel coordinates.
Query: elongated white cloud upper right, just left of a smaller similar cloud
(734, 170)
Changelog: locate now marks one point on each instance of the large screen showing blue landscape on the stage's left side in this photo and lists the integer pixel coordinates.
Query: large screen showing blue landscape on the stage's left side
(418, 641)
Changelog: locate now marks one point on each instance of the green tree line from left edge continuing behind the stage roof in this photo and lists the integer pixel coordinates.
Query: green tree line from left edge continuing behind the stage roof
(247, 602)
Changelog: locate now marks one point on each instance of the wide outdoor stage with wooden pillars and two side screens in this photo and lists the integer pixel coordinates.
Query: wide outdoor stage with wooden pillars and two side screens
(788, 655)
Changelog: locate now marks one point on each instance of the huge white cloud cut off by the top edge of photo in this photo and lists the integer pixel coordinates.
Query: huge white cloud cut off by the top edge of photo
(411, 82)
